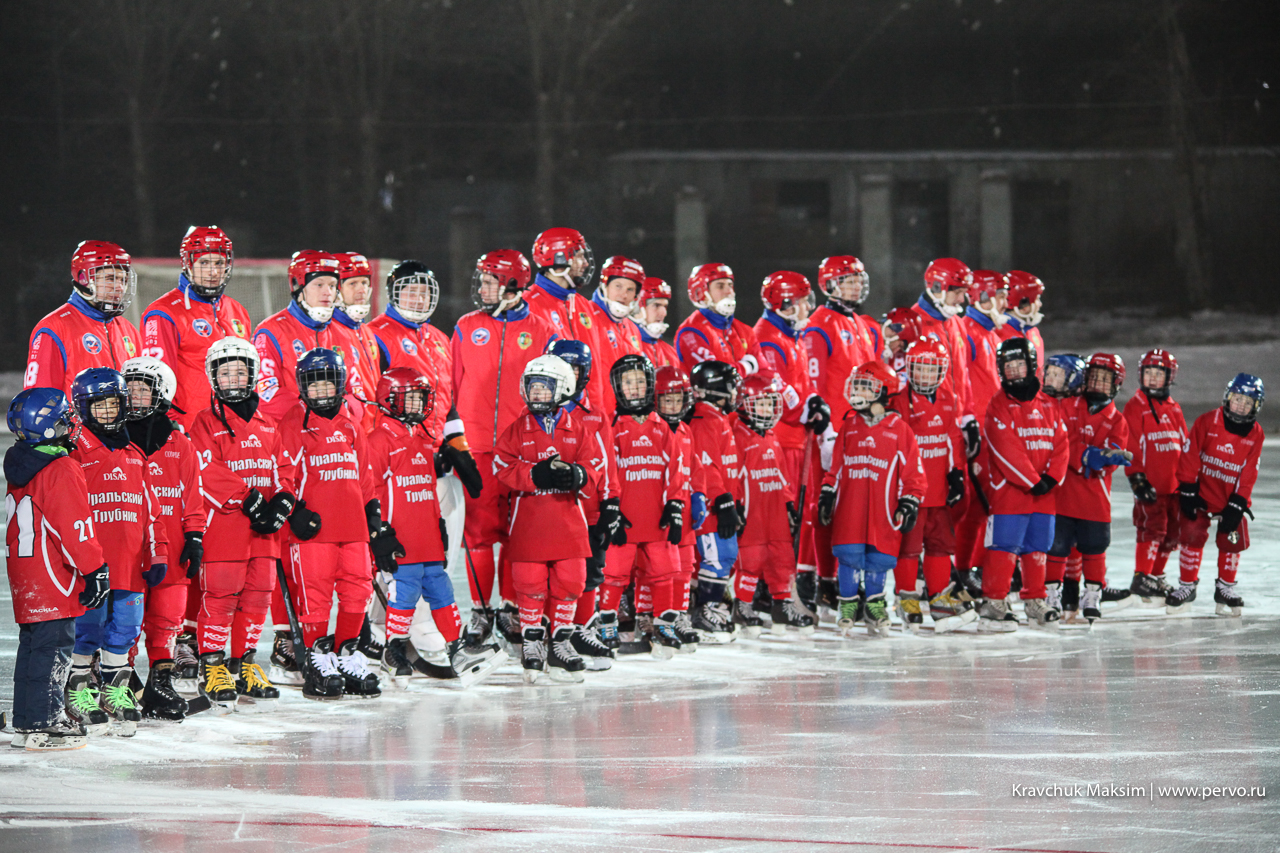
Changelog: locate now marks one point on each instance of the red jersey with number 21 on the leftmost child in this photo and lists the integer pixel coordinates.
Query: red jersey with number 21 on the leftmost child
(51, 536)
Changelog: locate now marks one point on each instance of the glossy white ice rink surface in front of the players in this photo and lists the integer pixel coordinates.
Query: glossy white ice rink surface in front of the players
(932, 743)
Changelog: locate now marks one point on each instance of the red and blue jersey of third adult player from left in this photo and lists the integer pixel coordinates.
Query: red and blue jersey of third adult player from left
(281, 341)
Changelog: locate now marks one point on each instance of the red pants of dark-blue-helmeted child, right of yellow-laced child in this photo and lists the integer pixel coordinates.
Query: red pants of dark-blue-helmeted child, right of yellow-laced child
(317, 571)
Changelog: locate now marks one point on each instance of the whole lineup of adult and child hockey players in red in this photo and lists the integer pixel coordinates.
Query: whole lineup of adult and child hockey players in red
(602, 492)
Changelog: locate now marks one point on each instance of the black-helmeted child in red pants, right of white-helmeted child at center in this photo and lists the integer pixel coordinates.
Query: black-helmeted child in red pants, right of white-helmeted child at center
(653, 496)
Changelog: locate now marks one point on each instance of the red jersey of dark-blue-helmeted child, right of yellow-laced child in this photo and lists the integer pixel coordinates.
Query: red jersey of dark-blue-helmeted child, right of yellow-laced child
(328, 463)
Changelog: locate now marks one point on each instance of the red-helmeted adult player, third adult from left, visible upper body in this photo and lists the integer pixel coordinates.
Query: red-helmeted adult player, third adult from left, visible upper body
(304, 325)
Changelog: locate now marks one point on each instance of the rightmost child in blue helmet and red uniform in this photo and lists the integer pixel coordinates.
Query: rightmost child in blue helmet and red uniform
(1217, 477)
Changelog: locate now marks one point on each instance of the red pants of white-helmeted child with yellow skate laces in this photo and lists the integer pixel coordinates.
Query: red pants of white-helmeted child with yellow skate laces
(234, 604)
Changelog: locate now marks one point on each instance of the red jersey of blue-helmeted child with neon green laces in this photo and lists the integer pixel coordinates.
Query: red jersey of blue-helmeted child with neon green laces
(122, 510)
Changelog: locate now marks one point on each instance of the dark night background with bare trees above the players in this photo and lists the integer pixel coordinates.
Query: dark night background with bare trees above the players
(365, 125)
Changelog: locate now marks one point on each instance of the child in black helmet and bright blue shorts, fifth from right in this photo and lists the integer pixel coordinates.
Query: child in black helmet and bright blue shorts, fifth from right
(1030, 453)
